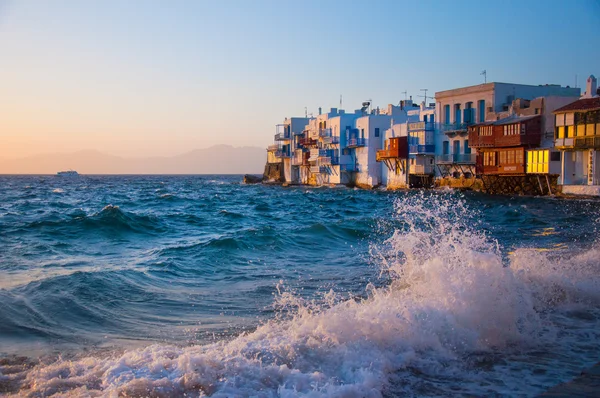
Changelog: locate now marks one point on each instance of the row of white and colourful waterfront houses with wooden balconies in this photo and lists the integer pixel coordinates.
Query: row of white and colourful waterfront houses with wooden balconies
(500, 137)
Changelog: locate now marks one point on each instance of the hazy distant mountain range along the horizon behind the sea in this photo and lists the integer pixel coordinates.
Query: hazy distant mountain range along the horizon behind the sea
(219, 159)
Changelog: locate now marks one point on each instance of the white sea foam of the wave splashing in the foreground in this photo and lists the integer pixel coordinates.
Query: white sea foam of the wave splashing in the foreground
(452, 297)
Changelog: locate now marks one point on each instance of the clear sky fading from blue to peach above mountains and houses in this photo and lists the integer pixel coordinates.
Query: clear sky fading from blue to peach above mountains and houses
(146, 78)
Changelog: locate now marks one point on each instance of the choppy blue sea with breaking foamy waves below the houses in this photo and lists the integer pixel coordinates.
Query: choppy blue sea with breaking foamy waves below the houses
(194, 286)
